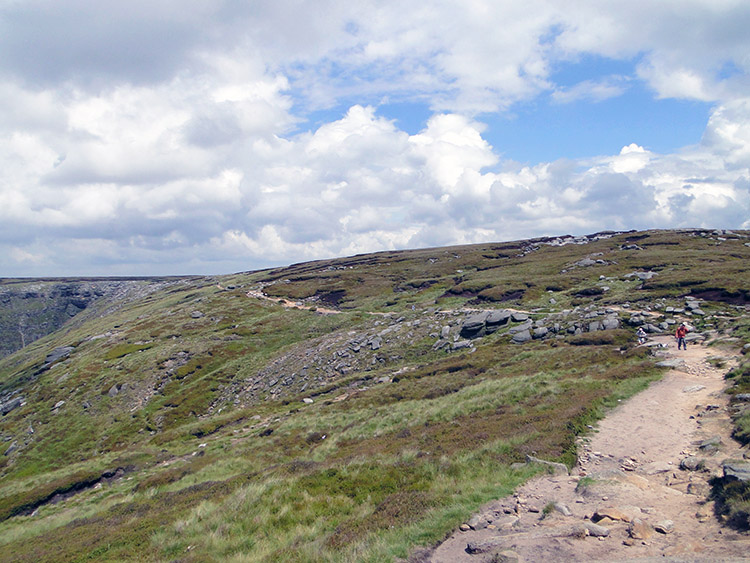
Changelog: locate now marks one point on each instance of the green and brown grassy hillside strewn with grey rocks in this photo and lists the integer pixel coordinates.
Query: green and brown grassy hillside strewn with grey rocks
(336, 410)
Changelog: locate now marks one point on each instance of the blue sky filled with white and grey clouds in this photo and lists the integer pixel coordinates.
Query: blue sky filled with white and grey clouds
(216, 136)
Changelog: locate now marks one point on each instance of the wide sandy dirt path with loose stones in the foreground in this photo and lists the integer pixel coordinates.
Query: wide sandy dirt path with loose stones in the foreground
(629, 468)
